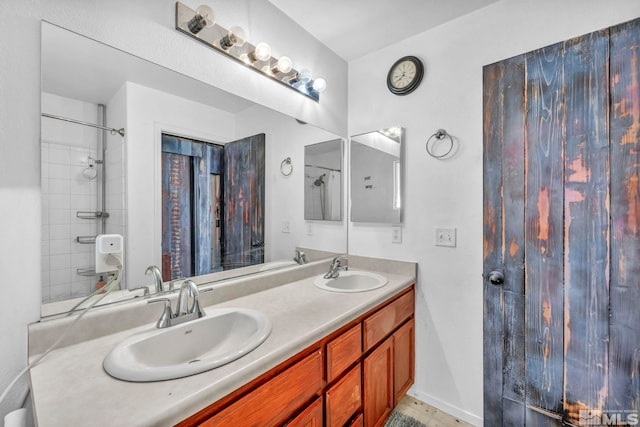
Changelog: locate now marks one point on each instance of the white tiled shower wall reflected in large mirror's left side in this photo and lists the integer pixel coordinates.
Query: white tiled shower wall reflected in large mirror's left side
(66, 149)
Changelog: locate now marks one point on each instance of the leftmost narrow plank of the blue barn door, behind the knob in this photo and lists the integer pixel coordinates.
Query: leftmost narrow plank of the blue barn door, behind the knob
(492, 213)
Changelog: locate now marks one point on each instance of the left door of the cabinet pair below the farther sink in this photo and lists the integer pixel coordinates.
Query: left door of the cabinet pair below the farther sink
(378, 384)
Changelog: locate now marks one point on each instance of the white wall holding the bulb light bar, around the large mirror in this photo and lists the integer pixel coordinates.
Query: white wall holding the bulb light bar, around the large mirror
(146, 29)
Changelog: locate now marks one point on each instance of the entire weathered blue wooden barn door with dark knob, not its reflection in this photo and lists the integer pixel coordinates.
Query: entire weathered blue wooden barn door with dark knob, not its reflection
(562, 233)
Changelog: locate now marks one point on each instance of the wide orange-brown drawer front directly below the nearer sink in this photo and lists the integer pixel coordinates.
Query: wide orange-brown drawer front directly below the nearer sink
(274, 402)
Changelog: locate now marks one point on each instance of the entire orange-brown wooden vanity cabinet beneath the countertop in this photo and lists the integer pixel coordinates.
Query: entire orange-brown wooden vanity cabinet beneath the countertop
(367, 369)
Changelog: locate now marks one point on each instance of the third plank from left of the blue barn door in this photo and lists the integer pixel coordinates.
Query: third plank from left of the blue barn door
(543, 228)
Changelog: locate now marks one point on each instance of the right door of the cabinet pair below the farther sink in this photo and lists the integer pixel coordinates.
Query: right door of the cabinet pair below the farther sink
(403, 359)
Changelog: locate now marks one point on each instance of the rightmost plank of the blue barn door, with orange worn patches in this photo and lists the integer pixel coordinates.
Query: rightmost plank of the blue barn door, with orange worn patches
(624, 350)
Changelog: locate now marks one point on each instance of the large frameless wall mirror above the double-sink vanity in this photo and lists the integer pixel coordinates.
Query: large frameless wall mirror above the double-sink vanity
(184, 144)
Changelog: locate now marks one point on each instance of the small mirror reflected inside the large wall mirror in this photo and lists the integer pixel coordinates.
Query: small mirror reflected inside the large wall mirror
(323, 181)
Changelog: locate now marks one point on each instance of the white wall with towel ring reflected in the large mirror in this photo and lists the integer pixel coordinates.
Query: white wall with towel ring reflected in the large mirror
(284, 195)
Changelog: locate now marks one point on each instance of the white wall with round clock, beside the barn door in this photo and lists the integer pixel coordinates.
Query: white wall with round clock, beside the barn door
(449, 192)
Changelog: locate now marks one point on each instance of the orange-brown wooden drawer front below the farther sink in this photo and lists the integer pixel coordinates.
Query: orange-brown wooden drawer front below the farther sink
(380, 324)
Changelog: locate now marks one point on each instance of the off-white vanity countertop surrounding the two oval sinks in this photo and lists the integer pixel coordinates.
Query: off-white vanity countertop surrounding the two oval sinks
(70, 388)
